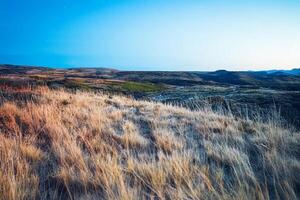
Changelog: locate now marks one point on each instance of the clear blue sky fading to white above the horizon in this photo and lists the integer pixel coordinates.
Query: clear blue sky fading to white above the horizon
(197, 35)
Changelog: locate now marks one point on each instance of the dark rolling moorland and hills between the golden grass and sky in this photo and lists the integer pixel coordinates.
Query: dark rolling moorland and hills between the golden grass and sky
(241, 92)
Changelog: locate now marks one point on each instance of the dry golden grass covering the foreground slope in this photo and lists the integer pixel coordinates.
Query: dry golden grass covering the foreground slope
(61, 145)
